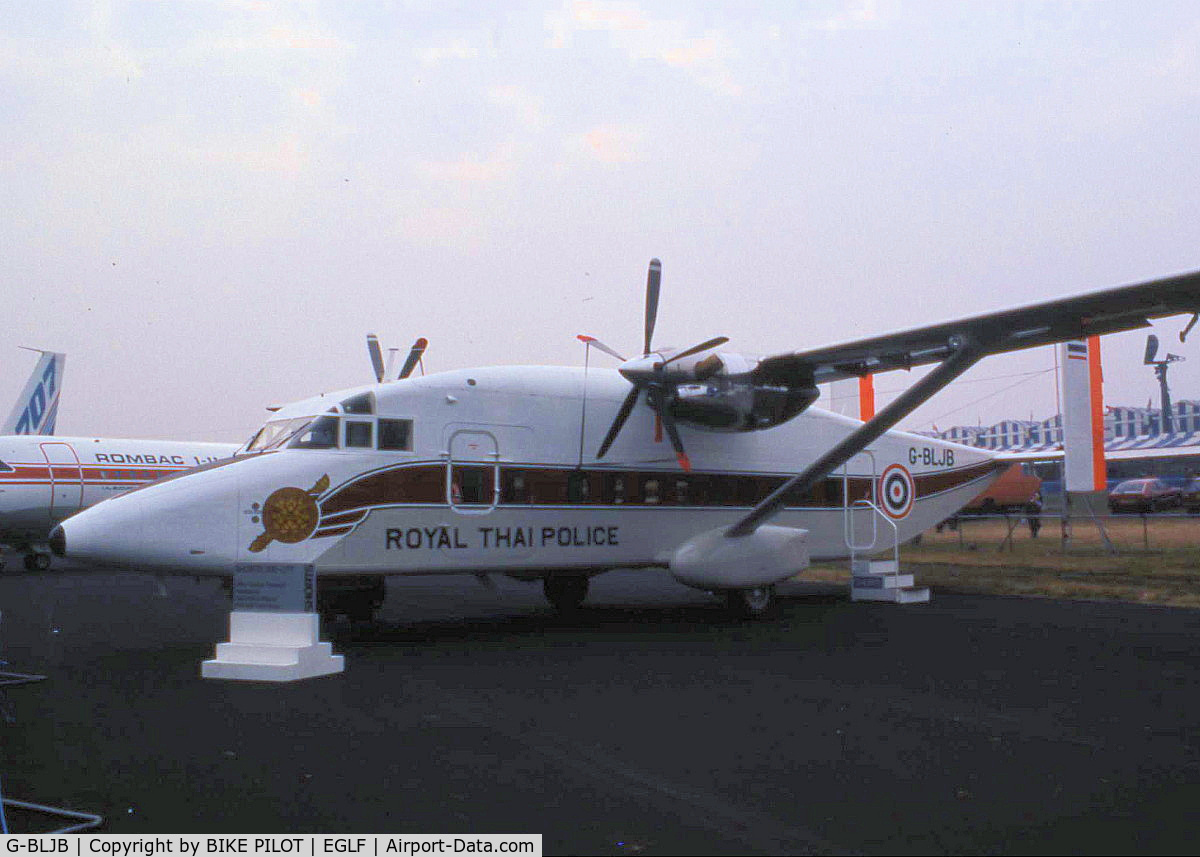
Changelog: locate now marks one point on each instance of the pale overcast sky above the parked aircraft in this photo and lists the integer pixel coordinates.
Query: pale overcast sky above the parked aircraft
(208, 206)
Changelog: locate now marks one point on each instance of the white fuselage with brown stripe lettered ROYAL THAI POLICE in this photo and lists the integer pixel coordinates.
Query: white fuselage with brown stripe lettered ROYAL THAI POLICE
(488, 471)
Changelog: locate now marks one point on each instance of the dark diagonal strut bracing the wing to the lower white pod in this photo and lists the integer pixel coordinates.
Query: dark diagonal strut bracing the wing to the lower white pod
(963, 356)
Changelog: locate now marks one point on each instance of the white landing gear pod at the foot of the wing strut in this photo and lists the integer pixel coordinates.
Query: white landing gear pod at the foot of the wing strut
(713, 561)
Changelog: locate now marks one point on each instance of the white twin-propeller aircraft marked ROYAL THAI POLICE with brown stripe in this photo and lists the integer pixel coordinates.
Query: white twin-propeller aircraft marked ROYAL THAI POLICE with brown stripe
(557, 475)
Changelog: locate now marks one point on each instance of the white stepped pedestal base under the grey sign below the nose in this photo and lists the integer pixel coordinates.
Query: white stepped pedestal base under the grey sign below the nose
(273, 648)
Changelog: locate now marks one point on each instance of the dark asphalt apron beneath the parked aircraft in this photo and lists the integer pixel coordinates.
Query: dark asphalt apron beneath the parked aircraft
(650, 724)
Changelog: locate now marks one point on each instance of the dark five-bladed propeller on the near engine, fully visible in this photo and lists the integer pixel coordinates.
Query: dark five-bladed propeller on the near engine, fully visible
(650, 374)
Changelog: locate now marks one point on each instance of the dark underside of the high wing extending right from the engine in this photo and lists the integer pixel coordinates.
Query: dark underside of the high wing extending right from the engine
(1067, 319)
